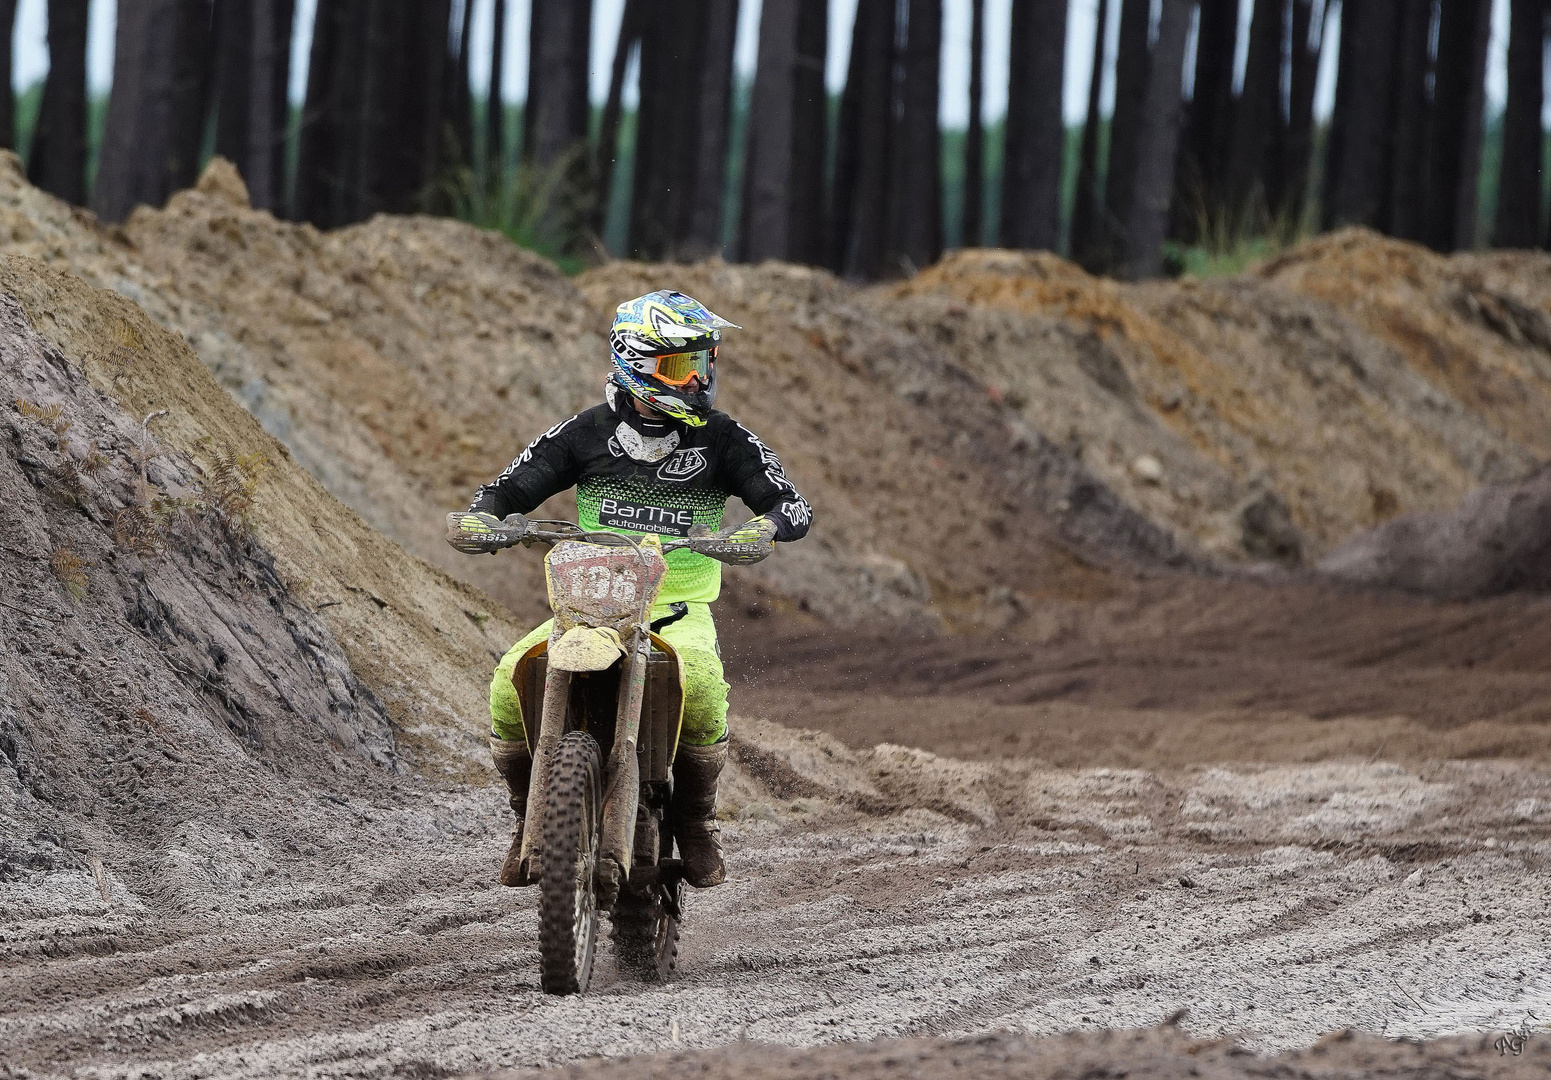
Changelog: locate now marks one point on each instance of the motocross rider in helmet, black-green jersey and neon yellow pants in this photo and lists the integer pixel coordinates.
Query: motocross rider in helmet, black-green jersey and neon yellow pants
(655, 457)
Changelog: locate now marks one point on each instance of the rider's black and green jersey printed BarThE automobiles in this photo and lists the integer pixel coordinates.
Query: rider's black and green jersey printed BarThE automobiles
(644, 476)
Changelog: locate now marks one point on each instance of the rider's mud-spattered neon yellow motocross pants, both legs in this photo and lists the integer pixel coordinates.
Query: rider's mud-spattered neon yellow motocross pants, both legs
(705, 690)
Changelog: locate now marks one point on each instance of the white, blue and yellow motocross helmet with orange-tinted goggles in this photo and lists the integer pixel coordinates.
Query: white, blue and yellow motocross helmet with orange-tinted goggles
(660, 344)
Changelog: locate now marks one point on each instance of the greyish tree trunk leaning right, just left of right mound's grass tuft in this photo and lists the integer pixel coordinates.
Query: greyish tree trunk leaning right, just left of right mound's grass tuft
(1158, 144)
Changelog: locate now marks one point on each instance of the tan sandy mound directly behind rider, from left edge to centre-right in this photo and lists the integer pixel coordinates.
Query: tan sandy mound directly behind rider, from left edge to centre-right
(409, 359)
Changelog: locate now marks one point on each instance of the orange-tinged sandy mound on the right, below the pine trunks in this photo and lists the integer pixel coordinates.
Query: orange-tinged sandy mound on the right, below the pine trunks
(1271, 415)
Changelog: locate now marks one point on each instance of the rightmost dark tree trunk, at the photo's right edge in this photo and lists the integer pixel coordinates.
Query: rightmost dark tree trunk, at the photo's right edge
(1519, 185)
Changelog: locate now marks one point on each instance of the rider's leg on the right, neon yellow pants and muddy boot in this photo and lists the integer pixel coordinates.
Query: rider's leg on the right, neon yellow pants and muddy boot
(703, 747)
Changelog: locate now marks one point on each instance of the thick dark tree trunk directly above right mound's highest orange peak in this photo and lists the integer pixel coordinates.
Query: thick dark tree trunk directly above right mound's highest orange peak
(1356, 165)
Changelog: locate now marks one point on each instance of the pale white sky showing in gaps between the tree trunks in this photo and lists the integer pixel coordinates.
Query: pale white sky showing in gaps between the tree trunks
(32, 54)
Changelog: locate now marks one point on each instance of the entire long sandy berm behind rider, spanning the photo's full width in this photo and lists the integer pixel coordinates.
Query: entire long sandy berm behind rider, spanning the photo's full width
(1018, 412)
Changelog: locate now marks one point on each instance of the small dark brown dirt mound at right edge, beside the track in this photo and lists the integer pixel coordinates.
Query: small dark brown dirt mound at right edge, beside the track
(1499, 541)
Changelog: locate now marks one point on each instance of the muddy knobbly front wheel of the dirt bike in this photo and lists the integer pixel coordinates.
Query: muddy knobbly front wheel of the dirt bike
(567, 890)
